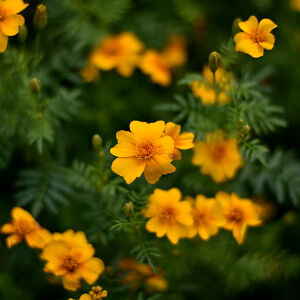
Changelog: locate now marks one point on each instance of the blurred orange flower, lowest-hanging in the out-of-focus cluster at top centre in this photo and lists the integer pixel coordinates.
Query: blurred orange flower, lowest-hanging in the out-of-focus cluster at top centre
(157, 66)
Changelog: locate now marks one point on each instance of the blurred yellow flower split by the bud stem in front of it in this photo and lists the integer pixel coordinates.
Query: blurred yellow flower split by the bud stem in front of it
(205, 90)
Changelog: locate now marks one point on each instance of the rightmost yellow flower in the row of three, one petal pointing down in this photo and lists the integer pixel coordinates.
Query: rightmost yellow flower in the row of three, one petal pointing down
(238, 213)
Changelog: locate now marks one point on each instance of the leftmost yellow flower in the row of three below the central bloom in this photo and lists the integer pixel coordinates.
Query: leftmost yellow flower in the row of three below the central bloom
(168, 215)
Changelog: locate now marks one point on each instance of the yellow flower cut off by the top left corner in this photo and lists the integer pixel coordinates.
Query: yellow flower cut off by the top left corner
(10, 20)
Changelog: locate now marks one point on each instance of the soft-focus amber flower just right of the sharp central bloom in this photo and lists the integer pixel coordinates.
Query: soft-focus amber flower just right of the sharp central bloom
(218, 157)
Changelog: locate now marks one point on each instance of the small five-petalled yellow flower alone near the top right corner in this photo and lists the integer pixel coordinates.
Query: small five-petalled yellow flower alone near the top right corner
(256, 37)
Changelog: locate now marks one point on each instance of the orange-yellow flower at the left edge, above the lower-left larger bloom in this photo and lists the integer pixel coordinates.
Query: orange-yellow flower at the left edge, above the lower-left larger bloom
(24, 226)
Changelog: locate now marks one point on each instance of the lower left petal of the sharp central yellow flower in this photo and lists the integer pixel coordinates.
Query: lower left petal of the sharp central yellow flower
(130, 168)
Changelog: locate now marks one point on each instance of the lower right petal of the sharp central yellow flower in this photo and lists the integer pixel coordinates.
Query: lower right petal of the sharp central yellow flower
(156, 166)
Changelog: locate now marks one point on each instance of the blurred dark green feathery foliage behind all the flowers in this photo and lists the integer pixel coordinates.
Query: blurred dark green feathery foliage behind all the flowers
(49, 167)
